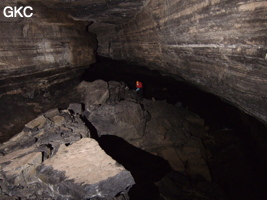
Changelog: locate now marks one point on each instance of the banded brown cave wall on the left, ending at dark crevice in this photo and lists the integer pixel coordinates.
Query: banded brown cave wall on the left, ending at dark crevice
(41, 51)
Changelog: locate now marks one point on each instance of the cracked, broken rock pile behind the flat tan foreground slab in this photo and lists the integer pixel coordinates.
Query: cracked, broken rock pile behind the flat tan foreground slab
(59, 127)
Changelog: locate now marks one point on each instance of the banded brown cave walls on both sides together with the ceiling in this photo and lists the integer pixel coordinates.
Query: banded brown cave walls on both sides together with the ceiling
(217, 45)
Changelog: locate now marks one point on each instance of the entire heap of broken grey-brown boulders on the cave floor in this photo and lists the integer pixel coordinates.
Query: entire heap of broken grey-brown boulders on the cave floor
(60, 160)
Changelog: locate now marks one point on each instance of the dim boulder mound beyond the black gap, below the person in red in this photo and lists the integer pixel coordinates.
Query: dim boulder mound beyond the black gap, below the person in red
(170, 131)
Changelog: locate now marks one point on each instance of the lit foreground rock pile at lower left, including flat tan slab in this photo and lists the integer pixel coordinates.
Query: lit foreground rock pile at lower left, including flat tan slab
(55, 158)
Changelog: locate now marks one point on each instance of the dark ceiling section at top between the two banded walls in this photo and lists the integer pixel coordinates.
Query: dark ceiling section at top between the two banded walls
(97, 11)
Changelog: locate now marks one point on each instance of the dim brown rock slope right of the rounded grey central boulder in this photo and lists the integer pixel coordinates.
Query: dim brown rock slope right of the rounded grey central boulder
(174, 133)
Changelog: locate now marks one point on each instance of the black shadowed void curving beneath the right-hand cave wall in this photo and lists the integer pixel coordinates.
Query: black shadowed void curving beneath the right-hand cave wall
(239, 157)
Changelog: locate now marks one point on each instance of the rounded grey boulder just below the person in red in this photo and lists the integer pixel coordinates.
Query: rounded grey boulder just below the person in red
(124, 119)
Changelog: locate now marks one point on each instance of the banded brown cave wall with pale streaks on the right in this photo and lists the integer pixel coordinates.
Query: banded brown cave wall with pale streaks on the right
(218, 45)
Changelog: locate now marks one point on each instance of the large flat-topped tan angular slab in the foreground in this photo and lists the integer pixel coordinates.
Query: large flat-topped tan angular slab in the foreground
(82, 171)
